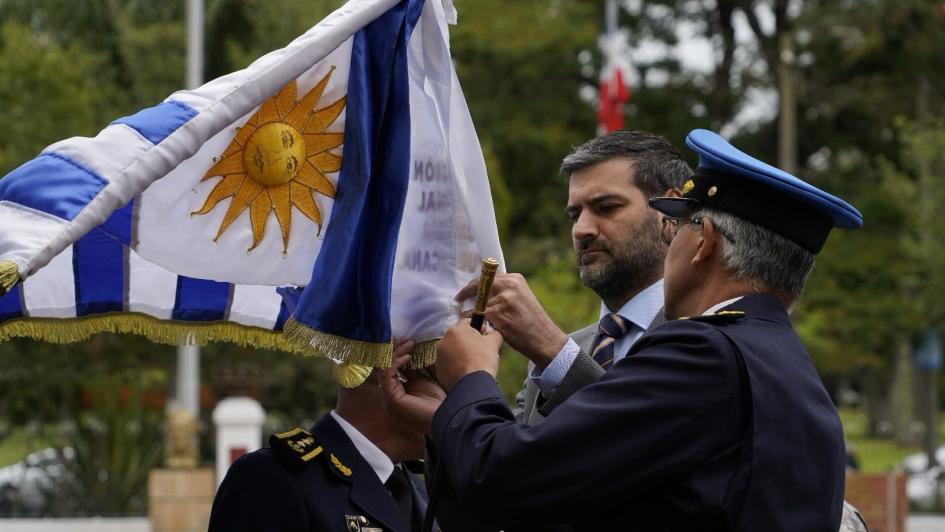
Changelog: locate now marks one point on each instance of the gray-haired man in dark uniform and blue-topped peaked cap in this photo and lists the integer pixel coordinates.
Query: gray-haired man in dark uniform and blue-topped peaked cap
(715, 421)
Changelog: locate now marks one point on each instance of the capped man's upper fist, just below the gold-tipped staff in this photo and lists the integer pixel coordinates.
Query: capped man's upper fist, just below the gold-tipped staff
(464, 350)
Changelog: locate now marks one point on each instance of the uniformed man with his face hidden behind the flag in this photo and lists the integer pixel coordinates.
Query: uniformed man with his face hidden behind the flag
(345, 475)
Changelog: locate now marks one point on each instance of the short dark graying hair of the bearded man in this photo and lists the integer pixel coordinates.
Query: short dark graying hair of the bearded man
(658, 165)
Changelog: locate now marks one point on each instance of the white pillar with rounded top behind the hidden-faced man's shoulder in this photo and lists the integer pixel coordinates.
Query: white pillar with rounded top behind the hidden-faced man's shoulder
(239, 422)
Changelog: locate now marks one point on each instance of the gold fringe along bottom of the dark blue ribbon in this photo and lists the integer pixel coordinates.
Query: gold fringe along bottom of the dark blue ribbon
(338, 348)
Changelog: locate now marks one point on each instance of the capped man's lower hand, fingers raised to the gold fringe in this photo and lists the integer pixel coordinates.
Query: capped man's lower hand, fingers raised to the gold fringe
(416, 400)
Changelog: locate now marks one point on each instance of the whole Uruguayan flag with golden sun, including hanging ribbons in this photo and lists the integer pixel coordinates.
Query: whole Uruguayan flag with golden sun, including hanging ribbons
(345, 164)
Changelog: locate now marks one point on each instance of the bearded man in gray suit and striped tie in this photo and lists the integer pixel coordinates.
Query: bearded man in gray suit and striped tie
(616, 239)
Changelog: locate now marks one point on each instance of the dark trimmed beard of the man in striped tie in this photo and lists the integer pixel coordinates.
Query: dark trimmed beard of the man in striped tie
(628, 264)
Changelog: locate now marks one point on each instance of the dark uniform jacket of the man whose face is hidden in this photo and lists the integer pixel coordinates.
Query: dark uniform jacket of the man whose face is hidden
(262, 492)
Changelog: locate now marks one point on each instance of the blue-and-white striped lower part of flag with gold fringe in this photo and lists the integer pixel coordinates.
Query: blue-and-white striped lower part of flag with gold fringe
(99, 284)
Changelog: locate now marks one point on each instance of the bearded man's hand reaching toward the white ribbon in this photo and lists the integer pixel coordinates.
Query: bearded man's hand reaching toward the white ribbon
(516, 313)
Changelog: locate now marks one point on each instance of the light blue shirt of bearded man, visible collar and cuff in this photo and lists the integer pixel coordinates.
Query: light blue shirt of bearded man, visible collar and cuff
(639, 312)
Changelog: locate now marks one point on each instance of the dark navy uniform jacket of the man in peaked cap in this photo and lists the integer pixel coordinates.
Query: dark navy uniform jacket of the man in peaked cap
(710, 423)
